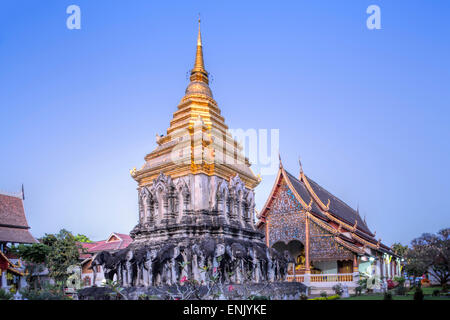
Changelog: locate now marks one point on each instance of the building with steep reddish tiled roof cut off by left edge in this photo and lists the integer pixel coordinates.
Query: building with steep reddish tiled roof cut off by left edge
(14, 229)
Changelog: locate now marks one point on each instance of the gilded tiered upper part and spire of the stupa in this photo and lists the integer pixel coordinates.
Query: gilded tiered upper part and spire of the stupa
(197, 140)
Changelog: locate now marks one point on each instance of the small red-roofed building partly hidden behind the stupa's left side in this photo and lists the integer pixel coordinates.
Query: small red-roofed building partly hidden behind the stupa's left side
(115, 242)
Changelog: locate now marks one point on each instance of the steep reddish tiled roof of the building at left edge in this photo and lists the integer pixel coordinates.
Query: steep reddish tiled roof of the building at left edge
(13, 222)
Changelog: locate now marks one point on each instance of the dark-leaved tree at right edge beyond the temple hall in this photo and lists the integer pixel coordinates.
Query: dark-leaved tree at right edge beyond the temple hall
(430, 253)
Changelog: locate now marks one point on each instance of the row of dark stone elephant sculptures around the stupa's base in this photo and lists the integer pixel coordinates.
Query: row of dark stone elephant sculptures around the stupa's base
(228, 261)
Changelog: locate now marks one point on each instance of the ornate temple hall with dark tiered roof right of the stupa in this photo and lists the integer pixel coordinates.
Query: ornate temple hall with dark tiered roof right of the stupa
(328, 240)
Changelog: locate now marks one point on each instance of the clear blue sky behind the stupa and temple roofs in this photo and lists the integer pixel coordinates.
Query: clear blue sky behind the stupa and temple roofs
(367, 110)
